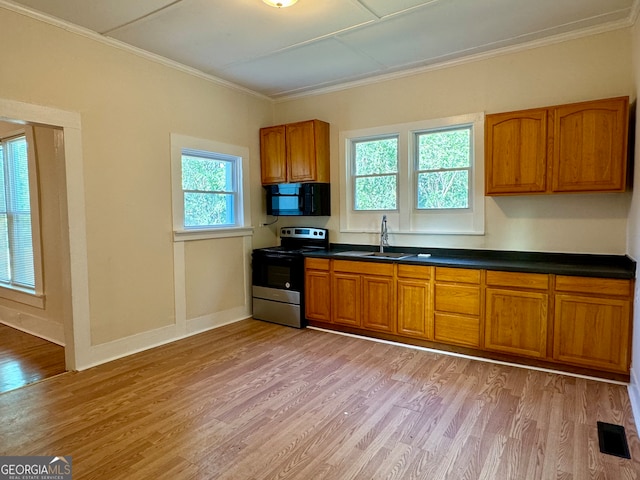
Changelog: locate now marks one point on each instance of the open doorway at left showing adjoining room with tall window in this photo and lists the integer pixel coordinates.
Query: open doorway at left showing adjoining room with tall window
(34, 315)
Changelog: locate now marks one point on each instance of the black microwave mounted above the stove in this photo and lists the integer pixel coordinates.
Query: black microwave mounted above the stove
(288, 199)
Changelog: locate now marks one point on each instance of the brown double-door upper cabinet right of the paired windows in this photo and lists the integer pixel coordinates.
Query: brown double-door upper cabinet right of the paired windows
(580, 147)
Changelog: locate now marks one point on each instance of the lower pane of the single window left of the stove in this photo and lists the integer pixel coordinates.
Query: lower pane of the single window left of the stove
(208, 209)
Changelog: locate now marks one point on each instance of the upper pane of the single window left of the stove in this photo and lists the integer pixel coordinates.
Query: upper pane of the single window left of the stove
(206, 175)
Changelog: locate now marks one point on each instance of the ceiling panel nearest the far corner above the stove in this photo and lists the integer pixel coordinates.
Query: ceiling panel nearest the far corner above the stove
(315, 64)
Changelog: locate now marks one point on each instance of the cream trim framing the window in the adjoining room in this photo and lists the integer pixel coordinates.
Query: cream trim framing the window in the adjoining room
(35, 297)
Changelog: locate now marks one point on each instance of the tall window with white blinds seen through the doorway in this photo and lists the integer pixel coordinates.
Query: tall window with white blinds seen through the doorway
(16, 238)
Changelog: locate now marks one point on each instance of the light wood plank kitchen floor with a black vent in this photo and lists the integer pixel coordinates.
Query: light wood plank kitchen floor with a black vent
(254, 401)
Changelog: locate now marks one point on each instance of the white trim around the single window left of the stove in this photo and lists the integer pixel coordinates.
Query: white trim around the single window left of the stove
(242, 228)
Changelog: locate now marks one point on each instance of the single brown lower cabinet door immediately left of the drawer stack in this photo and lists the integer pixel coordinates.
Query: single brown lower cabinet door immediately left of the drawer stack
(414, 308)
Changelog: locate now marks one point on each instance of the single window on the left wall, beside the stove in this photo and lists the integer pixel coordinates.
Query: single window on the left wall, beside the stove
(210, 189)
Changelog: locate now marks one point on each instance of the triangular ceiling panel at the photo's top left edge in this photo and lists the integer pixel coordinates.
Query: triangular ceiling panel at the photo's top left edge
(97, 15)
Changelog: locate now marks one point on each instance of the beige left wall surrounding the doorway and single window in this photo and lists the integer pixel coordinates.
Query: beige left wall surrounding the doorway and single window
(129, 106)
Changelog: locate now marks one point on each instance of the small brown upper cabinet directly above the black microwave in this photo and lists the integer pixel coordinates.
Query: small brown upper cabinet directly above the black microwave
(295, 152)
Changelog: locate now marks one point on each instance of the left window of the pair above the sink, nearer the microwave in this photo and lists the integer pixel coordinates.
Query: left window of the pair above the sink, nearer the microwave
(375, 174)
